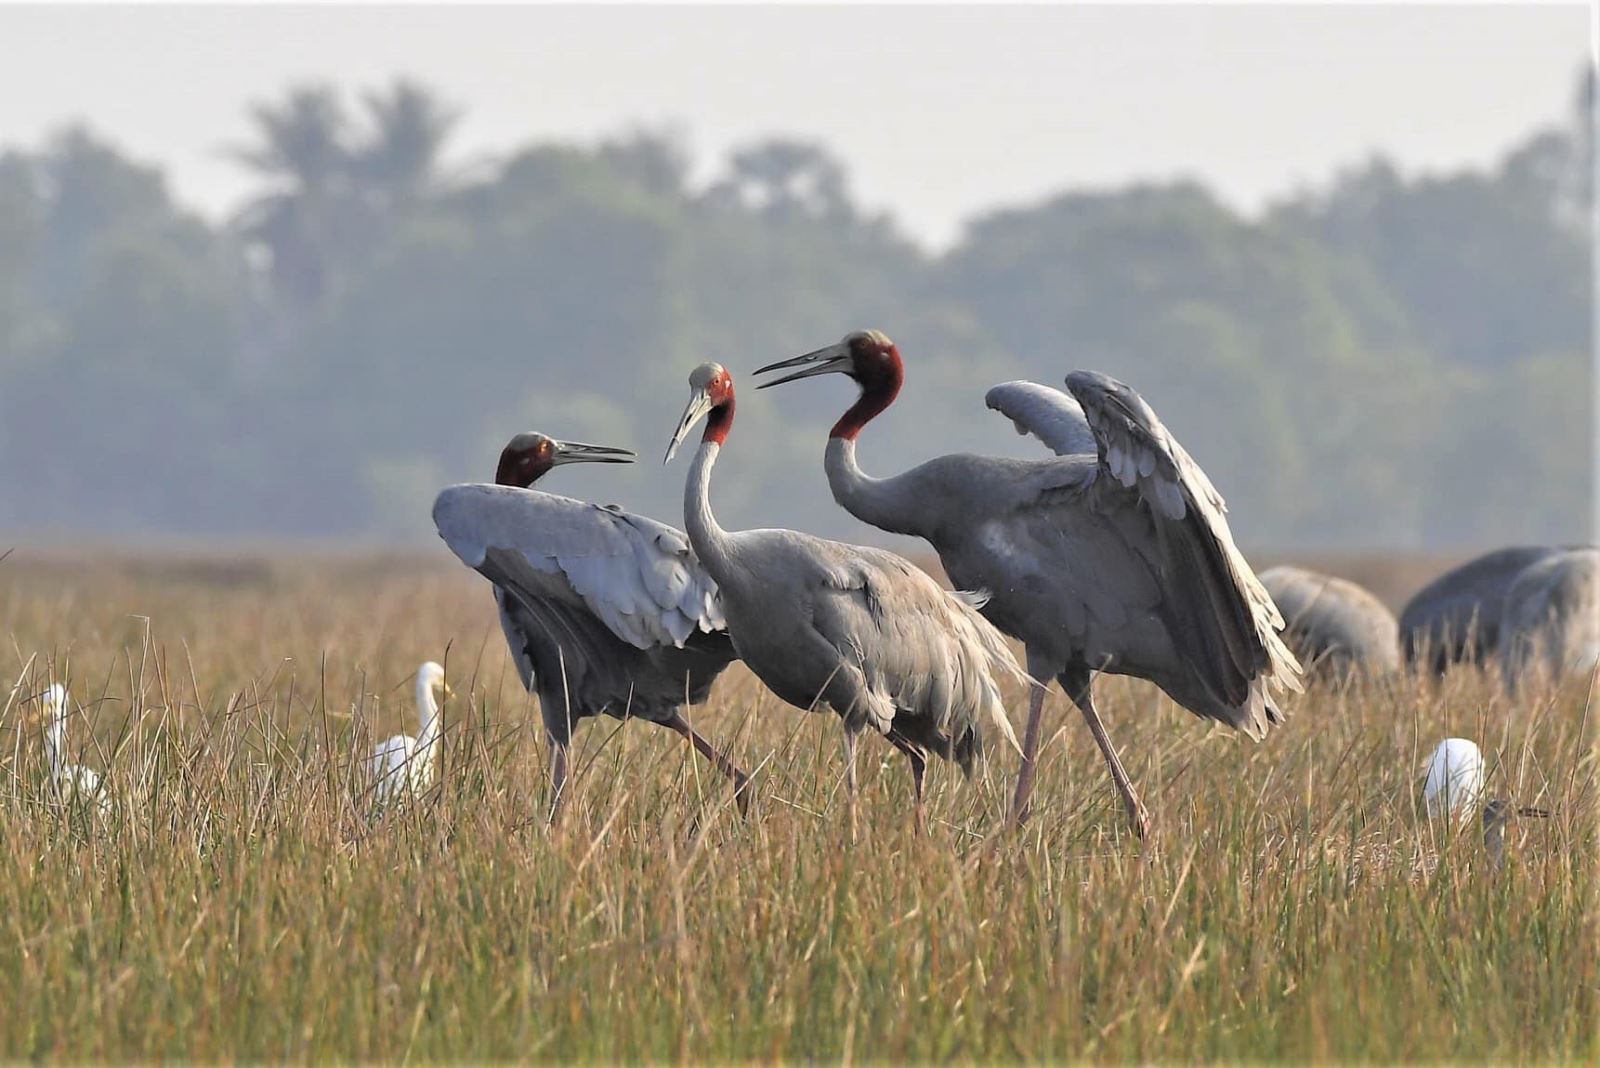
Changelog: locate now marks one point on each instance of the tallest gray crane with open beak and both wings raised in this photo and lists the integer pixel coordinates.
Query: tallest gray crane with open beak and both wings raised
(1114, 557)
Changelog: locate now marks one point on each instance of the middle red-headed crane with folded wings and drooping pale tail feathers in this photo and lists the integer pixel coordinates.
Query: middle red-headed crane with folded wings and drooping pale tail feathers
(860, 631)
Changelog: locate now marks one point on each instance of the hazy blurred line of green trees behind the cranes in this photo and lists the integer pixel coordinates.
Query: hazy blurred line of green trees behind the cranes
(1386, 362)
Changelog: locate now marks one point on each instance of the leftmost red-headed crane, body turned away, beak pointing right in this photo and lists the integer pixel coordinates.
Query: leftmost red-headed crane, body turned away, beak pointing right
(606, 612)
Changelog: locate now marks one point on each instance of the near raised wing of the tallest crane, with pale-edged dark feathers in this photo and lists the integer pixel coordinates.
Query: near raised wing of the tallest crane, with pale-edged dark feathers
(1231, 620)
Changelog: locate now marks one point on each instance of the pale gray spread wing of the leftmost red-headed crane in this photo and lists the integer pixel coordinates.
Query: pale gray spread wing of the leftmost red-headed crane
(638, 576)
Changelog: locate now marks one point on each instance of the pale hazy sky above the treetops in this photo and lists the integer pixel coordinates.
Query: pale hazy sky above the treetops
(940, 113)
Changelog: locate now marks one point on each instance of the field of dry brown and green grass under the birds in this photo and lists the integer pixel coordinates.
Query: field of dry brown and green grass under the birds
(241, 906)
